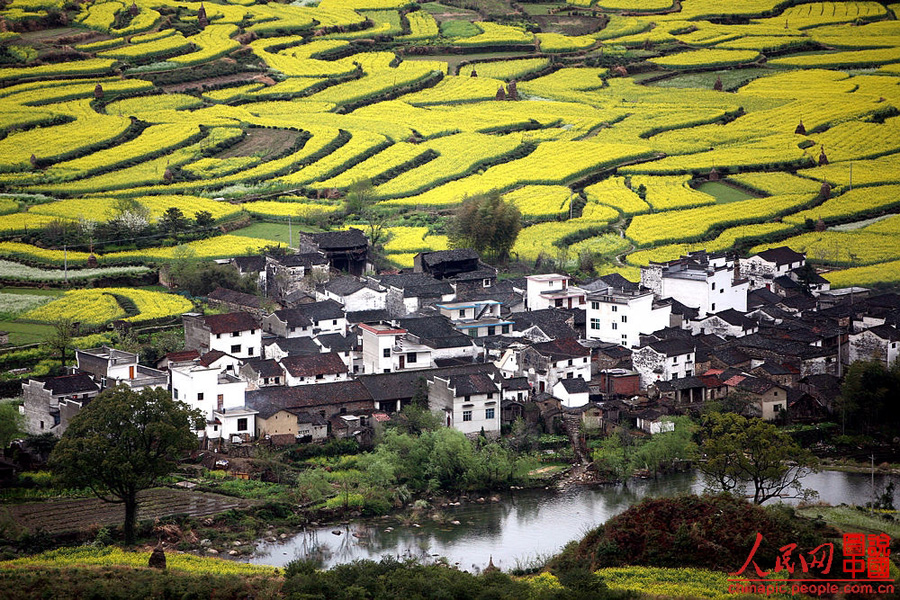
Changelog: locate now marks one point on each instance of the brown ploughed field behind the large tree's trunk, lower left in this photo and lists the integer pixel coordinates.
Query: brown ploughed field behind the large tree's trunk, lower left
(60, 516)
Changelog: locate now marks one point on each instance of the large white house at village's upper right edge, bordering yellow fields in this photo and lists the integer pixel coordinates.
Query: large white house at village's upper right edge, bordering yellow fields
(709, 283)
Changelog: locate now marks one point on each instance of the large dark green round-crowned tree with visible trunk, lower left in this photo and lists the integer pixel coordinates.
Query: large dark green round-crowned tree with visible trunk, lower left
(124, 442)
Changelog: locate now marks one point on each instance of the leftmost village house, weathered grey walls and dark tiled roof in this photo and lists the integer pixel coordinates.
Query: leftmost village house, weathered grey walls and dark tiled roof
(48, 404)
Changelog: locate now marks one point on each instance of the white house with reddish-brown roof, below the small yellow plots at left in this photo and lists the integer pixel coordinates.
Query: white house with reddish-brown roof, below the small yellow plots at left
(237, 334)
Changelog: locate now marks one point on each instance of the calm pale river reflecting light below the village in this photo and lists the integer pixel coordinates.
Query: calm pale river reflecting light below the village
(523, 527)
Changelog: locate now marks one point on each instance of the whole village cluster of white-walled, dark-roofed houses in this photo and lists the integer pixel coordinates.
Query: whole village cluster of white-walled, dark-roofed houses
(331, 351)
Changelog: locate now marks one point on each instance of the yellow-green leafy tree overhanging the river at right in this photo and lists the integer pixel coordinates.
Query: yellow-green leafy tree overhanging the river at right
(743, 453)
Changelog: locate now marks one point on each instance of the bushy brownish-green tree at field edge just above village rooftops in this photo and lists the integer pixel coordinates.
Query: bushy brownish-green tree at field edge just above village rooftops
(487, 224)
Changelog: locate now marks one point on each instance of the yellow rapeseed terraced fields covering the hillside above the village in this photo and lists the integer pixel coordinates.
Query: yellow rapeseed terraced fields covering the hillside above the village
(265, 111)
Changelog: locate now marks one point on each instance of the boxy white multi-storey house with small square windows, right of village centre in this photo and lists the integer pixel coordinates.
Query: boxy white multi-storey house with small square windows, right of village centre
(621, 316)
